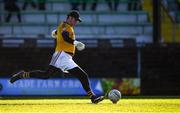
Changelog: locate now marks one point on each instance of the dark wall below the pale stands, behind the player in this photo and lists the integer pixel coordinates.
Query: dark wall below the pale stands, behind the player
(158, 65)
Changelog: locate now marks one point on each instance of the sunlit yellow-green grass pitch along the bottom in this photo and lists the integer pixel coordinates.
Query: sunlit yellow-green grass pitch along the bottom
(126, 105)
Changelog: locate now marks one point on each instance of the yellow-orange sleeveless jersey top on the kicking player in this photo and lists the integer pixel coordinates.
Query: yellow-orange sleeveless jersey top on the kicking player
(61, 44)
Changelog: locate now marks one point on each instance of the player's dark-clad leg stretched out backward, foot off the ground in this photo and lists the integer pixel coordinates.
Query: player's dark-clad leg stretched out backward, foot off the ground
(34, 74)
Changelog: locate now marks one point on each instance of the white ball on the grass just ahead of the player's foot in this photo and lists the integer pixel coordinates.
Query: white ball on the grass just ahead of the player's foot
(114, 96)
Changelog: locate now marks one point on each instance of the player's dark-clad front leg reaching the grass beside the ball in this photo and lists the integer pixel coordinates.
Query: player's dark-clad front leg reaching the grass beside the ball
(83, 77)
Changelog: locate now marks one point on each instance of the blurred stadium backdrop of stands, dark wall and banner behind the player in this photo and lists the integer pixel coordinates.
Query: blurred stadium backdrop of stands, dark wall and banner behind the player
(131, 45)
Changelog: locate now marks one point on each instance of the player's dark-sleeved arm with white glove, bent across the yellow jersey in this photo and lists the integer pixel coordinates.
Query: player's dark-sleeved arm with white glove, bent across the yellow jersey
(79, 45)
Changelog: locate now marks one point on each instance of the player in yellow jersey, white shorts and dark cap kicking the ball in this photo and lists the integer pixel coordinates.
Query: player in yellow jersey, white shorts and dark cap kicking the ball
(62, 58)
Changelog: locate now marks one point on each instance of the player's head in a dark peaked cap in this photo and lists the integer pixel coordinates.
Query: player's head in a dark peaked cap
(73, 17)
